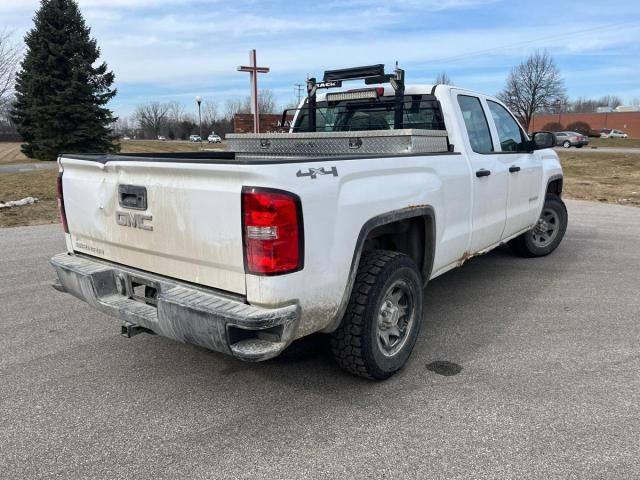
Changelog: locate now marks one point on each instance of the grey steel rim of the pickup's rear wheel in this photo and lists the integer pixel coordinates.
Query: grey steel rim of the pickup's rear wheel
(395, 318)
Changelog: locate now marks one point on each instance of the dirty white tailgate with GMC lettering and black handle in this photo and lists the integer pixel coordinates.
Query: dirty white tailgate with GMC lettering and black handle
(189, 229)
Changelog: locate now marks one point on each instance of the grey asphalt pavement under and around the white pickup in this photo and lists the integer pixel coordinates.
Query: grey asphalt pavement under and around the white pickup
(549, 386)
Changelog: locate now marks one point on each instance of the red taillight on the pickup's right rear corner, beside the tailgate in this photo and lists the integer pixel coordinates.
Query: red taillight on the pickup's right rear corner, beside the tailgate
(272, 230)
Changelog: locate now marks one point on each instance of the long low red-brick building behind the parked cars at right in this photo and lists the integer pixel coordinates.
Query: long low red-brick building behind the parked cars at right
(628, 122)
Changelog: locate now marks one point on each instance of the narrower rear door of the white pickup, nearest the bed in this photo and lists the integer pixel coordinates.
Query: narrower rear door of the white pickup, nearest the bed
(488, 175)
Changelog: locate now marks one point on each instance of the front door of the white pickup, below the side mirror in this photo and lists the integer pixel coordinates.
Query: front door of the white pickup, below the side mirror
(525, 171)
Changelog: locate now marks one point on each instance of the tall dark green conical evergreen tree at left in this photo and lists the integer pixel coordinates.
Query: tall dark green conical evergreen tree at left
(61, 96)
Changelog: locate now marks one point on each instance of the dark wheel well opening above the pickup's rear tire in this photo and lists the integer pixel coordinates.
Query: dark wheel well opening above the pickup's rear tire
(412, 236)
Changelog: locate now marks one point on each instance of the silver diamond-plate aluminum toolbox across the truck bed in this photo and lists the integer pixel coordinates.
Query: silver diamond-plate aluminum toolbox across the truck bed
(372, 142)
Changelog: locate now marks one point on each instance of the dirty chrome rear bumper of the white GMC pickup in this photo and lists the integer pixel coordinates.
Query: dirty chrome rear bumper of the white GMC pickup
(182, 312)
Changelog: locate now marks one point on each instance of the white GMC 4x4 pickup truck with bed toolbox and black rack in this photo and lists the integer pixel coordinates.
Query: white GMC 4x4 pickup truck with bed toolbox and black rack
(335, 227)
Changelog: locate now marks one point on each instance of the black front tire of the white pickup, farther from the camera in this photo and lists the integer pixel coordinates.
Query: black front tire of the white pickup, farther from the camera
(529, 245)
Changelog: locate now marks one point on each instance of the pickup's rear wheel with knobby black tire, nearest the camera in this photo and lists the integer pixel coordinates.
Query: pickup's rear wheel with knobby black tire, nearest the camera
(357, 344)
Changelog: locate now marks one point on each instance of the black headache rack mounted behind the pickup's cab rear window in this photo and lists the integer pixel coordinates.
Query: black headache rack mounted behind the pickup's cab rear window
(371, 74)
